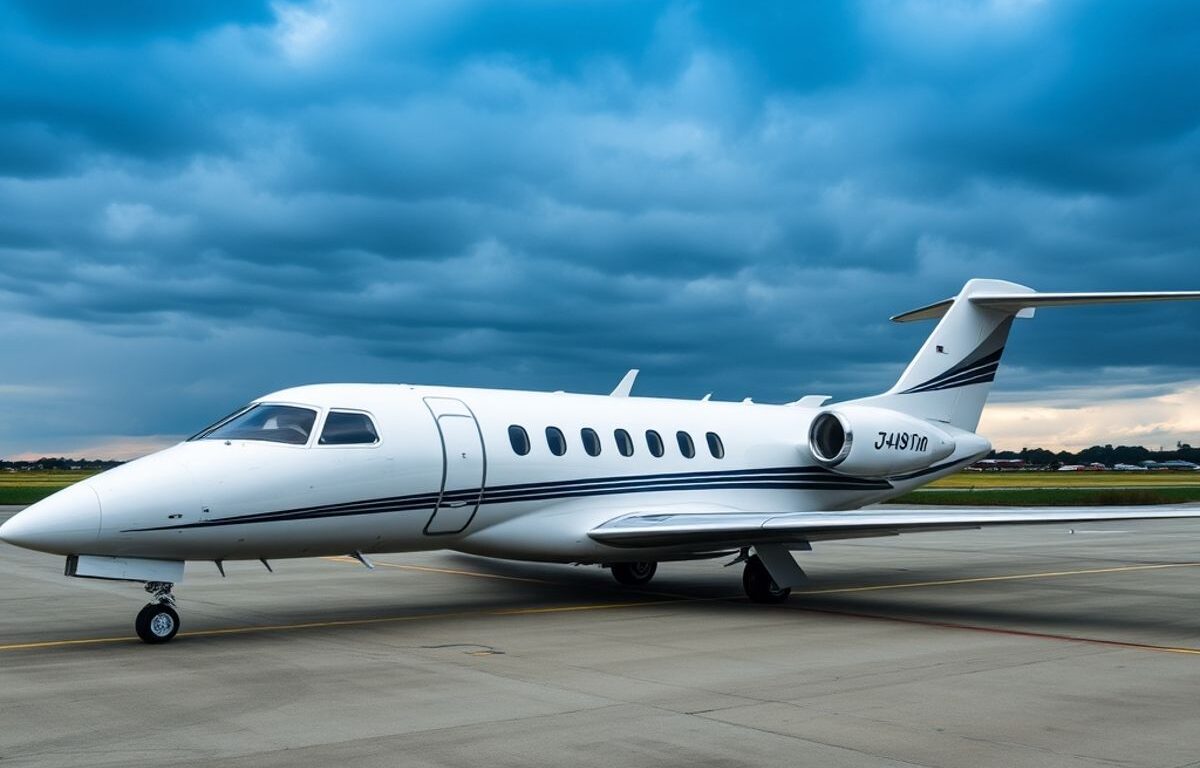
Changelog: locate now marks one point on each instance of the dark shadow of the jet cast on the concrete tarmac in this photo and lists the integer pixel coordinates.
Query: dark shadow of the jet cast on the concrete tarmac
(1088, 604)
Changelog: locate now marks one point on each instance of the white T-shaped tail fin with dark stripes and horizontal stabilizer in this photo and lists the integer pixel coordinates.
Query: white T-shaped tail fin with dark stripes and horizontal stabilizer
(951, 377)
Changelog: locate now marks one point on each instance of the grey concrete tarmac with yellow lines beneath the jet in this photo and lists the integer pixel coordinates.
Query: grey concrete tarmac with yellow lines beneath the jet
(1033, 646)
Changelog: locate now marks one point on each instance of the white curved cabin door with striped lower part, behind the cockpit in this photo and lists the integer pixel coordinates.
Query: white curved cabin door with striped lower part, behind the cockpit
(464, 466)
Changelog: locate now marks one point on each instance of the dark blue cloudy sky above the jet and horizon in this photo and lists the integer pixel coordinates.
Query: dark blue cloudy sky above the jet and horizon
(205, 202)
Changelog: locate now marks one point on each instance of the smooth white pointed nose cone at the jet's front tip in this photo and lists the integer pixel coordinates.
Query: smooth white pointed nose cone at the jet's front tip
(64, 524)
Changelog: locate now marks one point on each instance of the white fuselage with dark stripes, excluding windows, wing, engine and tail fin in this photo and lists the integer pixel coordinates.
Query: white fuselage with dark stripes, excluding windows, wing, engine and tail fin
(445, 475)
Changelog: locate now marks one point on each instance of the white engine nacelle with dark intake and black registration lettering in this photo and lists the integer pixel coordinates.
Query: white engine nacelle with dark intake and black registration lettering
(868, 442)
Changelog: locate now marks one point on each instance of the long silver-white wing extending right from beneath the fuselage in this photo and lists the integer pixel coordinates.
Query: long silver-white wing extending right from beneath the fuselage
(736, 530)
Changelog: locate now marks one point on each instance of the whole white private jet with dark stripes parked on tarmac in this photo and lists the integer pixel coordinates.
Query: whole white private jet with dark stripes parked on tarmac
(620, 482)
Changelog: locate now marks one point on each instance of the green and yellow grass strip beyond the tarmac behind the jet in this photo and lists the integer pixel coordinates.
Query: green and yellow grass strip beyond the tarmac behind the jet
(967, 489)
